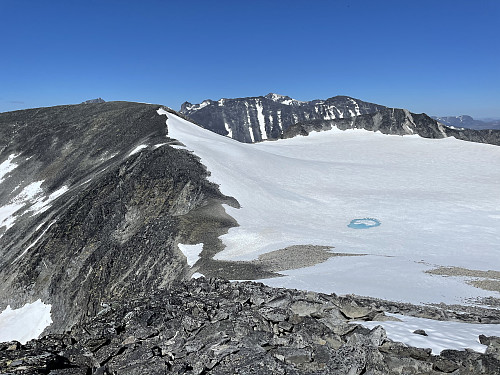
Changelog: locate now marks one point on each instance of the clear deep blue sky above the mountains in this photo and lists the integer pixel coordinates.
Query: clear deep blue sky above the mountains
(441, 57)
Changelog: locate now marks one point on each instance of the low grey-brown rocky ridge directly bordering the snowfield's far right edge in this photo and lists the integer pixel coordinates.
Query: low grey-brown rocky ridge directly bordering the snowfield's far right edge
(397, 122)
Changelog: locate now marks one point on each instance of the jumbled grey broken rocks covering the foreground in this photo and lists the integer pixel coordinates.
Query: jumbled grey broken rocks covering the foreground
(210, 326)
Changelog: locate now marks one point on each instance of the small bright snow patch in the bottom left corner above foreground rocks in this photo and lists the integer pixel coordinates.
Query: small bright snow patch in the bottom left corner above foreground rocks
(26, 323)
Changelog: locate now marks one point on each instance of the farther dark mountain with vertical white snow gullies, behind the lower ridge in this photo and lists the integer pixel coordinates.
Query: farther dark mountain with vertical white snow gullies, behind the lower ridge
(266, 117)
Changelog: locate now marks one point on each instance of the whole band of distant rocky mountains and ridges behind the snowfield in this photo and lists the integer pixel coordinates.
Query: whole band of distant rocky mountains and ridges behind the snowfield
(276, 116)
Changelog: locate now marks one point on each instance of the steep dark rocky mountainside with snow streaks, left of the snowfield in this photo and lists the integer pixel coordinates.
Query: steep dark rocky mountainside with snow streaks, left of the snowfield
(93, 204)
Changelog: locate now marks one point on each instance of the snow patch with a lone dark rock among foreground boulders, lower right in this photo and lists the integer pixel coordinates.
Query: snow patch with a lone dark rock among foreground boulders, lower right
(441, 335)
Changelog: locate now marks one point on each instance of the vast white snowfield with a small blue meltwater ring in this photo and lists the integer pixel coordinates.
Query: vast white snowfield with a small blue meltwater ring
(437, 201)
